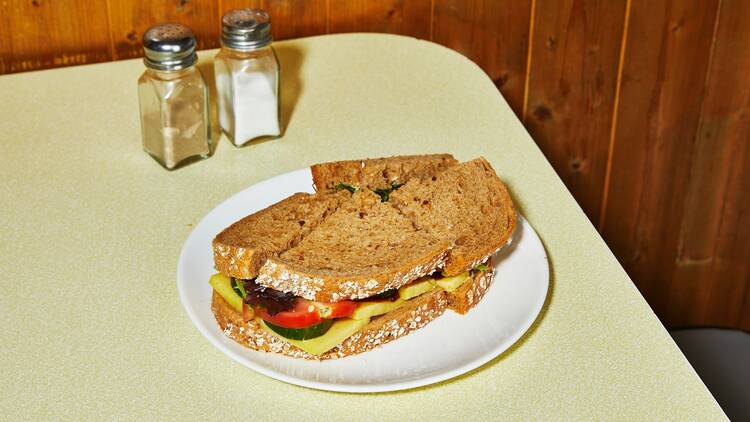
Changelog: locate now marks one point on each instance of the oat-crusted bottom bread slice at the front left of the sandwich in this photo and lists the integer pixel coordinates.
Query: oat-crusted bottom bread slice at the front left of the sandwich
(415, 314)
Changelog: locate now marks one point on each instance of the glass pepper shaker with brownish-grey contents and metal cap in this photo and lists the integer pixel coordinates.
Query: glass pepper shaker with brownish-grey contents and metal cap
(173, 98)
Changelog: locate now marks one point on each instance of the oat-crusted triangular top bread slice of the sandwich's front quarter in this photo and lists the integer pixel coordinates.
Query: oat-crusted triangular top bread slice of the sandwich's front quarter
(365, 247)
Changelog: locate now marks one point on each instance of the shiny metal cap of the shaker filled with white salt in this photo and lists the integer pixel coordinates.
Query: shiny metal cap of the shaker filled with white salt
(246, 29)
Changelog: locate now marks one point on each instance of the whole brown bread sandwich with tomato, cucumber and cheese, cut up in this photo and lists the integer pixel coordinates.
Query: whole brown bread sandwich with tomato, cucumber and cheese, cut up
(383, 247)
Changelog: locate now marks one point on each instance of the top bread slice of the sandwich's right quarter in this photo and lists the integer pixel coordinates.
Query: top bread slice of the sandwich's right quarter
(467, 204)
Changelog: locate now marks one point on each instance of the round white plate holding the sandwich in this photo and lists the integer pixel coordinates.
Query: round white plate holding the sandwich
(447, 347)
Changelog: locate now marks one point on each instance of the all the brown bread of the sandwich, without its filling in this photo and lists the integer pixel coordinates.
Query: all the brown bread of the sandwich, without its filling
(333, 245)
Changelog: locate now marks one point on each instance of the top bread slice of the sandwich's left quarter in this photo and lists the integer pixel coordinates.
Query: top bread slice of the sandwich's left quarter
(242, 248)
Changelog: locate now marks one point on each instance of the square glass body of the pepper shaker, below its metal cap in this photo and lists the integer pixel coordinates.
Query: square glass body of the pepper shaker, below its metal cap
(174, 115)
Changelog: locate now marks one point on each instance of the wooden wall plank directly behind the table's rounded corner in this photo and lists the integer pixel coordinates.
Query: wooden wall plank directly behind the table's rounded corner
(494, 34)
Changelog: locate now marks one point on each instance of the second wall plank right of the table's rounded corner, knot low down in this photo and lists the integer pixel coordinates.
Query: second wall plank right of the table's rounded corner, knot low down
(575, 55)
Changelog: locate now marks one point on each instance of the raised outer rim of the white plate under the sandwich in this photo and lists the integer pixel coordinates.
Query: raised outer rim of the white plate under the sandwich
(499, 349)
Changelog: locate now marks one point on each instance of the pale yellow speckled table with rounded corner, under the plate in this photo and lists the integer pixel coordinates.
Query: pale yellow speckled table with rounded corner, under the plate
(91, 228)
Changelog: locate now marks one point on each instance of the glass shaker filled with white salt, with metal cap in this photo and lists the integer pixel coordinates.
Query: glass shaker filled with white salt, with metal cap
(247, 77)
